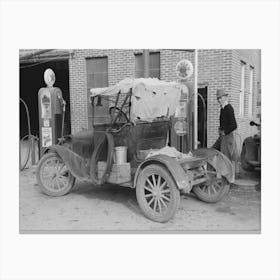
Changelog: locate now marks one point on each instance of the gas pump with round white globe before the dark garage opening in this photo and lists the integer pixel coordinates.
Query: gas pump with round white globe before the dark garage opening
(51, 112)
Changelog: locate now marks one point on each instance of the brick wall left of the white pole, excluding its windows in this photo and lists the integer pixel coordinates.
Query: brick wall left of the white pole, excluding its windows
(121, 64)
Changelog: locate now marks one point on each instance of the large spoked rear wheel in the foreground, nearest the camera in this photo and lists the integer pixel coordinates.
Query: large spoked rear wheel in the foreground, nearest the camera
(157, 193)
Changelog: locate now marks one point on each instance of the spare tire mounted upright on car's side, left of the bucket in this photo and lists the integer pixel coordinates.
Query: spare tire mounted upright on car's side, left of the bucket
(94, 159)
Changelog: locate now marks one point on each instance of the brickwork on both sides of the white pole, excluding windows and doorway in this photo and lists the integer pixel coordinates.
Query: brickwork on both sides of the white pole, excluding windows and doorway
(217, 68)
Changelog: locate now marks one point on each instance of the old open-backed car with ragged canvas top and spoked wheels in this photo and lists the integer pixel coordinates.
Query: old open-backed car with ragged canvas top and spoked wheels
(128, 145)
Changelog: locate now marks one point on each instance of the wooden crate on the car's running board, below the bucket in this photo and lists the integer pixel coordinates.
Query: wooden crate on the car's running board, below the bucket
(120, 173)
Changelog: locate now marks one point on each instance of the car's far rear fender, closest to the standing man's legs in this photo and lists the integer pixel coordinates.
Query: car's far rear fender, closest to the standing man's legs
(218, 160)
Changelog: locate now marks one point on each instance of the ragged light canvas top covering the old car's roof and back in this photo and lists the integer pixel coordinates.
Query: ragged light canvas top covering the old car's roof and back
(150, 99)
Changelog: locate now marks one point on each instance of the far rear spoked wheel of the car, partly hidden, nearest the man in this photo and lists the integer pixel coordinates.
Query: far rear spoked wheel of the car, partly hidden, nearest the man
(214, 188)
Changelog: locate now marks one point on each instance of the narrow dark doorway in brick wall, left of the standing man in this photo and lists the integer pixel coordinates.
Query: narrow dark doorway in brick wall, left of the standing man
(202, 117)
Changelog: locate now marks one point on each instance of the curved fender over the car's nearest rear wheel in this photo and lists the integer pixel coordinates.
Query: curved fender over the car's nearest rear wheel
(179, 175)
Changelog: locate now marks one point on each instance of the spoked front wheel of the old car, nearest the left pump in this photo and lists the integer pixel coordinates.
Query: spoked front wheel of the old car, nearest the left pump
(53, 177)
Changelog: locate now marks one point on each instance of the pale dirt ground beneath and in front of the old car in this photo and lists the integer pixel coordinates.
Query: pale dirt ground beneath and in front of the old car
(114, 209)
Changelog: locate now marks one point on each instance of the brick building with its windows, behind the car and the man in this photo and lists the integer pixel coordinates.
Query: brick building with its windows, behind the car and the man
(237, 71)
